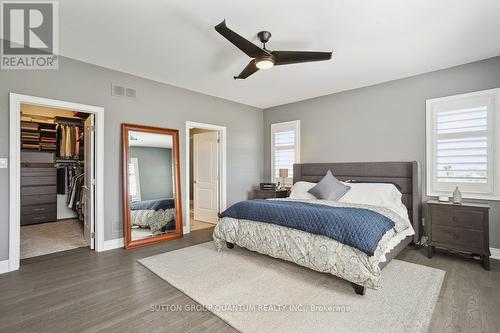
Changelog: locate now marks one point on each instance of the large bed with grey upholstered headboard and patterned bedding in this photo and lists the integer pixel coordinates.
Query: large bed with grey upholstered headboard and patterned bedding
(315, 251)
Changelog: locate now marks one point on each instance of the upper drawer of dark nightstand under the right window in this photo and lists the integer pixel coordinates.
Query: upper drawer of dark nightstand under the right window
(456, 216)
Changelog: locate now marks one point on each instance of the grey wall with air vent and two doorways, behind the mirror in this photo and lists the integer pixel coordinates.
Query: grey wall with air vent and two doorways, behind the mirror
(157, 104)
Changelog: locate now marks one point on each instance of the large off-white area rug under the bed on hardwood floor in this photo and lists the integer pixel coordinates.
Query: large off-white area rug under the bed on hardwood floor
(256, 293)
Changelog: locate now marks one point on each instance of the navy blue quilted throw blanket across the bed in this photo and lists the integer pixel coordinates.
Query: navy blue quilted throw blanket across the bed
(357, 227)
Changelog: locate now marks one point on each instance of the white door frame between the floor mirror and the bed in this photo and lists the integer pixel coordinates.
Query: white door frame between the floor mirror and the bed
(223, 159)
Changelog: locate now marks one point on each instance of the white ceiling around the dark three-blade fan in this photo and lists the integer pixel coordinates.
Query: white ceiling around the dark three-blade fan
(373, 41)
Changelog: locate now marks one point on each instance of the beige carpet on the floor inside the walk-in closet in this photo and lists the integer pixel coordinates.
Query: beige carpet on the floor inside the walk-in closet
(45, 238)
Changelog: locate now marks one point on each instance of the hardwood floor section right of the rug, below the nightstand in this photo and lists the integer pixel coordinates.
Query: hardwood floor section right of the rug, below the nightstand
(470, 296)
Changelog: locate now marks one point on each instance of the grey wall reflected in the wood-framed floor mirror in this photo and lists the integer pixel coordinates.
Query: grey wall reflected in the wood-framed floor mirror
(155, 171)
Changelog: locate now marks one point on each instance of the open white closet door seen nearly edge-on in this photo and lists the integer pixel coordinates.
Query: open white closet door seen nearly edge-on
(89, 182)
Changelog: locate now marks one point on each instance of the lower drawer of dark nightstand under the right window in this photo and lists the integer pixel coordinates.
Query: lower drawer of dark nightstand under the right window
(457, 236)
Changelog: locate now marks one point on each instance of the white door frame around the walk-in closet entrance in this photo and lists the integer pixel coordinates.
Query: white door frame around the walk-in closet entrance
(15, 168)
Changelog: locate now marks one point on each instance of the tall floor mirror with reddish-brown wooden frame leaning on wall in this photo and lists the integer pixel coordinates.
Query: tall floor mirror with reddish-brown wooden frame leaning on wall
(151, 185)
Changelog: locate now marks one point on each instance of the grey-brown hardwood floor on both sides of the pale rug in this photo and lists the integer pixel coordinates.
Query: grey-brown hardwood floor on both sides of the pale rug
(84, 291)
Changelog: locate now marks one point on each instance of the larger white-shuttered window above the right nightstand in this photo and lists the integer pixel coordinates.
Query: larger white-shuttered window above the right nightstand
(461, 146)
